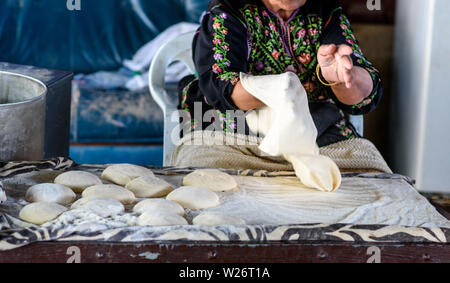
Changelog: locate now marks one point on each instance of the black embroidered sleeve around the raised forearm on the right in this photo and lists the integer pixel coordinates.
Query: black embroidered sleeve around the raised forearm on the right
(338, 31)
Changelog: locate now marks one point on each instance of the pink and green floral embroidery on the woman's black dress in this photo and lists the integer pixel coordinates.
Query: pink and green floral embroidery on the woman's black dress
(275, 47)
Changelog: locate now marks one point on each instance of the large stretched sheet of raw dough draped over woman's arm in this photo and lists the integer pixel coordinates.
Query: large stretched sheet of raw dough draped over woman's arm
(289, 128)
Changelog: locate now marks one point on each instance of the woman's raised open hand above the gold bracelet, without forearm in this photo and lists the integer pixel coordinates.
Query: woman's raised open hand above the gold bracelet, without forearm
(336, 64)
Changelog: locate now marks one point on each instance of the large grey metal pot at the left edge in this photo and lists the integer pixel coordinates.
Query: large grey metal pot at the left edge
(22, 117)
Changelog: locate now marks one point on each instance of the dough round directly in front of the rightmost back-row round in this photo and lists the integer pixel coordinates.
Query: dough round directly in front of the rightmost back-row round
(194, 198)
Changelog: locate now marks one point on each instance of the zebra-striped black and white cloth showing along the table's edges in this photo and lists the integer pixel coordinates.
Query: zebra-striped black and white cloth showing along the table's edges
(11, 237)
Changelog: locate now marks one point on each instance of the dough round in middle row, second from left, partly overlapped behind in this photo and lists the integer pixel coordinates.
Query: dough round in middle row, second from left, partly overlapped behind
(110, 191)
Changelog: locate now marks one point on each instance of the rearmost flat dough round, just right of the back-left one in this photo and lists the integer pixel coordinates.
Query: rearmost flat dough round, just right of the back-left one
(122, 174)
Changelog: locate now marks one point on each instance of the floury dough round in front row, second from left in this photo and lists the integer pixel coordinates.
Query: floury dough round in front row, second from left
(103, 207)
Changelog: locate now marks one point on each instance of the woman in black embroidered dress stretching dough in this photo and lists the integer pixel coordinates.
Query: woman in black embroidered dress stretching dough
(311, 38)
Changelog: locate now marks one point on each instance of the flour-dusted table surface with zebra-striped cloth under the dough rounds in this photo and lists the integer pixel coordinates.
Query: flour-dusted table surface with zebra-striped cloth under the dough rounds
(369, 209)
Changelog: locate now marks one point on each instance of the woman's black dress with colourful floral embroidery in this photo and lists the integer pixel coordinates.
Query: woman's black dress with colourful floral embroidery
(246, 36)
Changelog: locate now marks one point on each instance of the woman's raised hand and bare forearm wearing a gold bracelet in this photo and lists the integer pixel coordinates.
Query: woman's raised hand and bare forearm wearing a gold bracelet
(355, 83)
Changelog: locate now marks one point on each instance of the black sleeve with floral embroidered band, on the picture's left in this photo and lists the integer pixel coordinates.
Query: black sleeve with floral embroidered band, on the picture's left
(220, 54)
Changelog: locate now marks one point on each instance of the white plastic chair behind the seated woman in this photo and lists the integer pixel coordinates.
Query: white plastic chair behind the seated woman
(180, 49)
